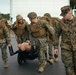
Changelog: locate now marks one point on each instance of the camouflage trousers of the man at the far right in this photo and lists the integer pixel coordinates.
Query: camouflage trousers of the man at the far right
(69, 60)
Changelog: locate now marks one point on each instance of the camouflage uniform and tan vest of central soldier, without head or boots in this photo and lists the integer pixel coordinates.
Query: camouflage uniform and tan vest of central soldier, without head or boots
(38, 31)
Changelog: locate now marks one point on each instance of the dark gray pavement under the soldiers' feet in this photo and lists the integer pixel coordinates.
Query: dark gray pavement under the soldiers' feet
(30, 67)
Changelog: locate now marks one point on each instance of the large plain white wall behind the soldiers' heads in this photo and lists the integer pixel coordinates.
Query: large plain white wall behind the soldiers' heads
(23, 7)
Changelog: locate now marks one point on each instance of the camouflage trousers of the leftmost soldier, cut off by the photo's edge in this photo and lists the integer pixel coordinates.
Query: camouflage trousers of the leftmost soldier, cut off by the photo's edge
(4, 51)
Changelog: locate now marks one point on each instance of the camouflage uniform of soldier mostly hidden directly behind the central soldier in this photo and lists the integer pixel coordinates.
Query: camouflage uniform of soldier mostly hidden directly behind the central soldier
(49, 36)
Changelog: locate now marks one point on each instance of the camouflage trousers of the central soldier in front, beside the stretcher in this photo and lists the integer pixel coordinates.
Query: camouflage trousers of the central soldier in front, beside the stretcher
(42, 50)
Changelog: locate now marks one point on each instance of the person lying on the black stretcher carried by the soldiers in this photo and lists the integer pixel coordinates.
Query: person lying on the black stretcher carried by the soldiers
(25, 48)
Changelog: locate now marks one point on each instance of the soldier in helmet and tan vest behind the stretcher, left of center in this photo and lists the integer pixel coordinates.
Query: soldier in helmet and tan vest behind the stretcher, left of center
(20, 29)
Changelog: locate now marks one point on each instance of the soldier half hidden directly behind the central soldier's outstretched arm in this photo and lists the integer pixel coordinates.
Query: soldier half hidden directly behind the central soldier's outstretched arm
(49, 41)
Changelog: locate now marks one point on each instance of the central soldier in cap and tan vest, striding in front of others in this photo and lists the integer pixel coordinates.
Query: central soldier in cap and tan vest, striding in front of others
(38, 30)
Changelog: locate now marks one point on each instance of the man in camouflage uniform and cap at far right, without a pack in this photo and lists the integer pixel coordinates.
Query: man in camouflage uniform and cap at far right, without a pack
(68, 43)
